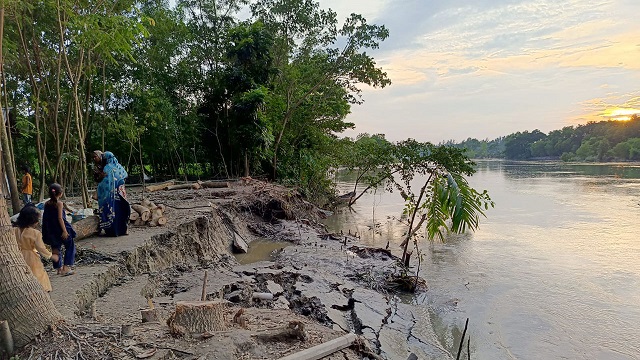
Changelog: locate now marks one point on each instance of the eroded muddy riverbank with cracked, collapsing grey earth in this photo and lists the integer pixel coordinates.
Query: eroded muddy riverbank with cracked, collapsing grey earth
(328, 283)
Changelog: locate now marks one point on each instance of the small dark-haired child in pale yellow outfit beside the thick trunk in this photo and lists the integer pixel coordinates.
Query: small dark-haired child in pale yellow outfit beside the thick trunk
(30, 240)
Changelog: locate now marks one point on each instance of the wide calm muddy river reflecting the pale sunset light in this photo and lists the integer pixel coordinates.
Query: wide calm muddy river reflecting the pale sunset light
(552, 273)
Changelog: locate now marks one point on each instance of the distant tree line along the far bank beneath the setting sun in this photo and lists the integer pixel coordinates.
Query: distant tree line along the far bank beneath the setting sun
(595, 141)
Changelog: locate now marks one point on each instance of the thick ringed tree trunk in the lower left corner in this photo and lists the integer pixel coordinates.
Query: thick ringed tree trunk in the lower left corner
(25, 305)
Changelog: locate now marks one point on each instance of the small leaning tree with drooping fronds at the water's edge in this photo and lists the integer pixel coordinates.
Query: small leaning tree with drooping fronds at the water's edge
(444, 202)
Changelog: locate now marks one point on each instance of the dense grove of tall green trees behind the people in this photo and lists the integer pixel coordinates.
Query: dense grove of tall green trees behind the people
(189, 91)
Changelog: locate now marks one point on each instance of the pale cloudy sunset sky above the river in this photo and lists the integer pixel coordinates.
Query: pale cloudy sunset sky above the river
(489, 68)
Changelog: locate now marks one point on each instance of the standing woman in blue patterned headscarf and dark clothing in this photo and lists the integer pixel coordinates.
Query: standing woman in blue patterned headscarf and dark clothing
(112, 196)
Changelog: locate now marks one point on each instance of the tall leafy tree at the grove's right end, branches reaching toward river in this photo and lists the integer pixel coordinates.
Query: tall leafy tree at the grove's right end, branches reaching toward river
(306, 38)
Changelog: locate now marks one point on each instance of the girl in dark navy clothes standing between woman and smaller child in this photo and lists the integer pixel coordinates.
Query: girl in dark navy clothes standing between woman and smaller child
(57, 231)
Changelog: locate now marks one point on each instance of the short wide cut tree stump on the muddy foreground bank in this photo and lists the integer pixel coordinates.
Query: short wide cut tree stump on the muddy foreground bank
(197, 316)
